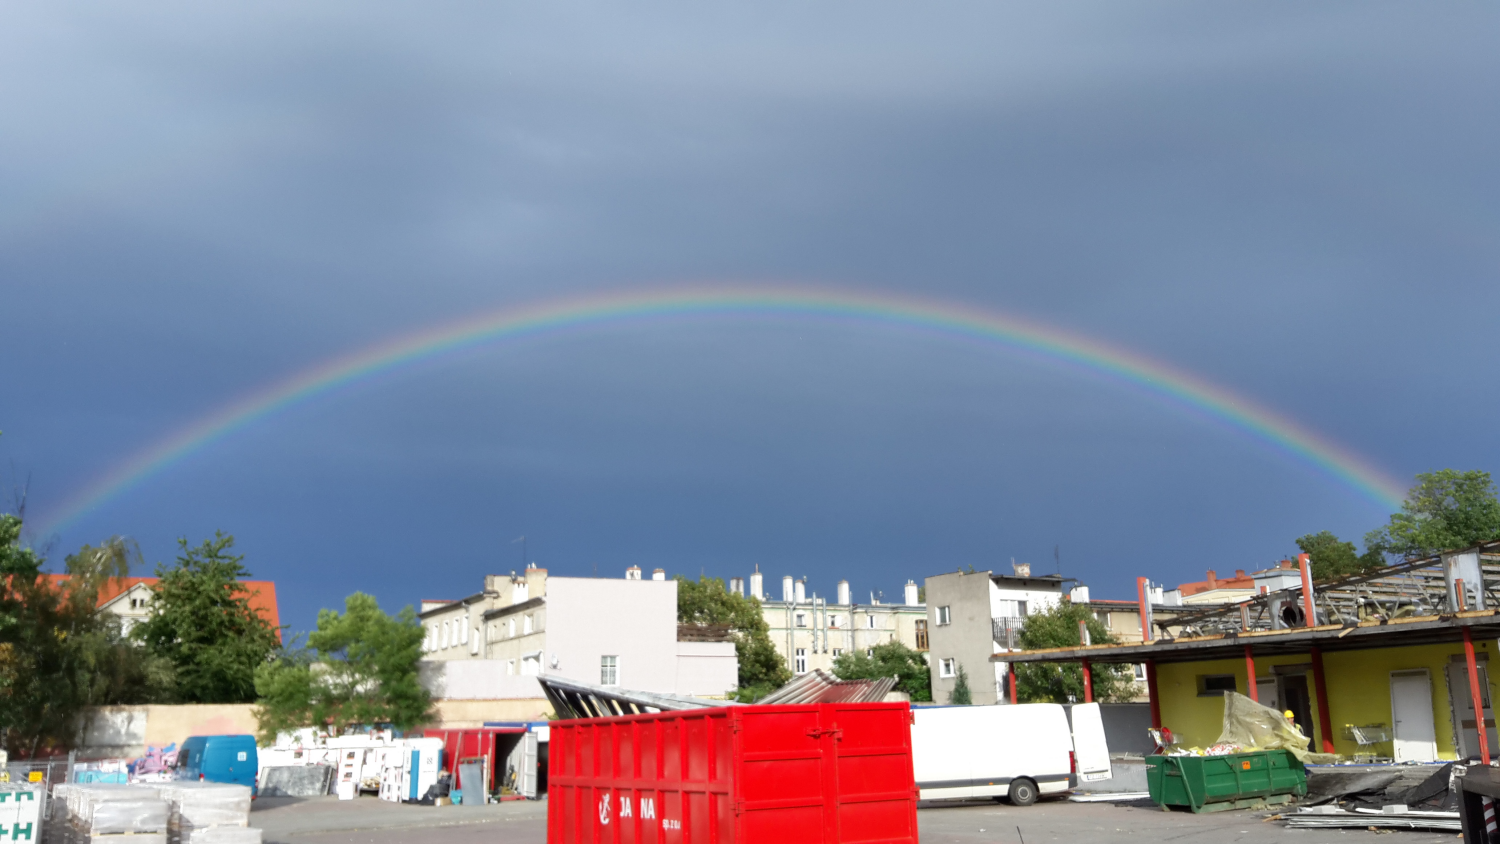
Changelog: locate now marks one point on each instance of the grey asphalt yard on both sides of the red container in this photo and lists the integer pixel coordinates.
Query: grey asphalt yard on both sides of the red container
(368, 821)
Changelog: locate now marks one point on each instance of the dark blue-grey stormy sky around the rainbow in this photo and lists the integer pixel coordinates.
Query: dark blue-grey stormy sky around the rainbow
(1297, 202)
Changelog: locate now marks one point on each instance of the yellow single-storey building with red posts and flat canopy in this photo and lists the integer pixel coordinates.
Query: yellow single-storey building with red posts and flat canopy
(1402, 684)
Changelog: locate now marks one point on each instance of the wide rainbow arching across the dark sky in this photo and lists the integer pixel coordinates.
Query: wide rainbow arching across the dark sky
(1178, 388)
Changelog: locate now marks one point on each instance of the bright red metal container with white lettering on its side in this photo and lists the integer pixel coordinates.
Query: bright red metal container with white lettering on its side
(785, 774)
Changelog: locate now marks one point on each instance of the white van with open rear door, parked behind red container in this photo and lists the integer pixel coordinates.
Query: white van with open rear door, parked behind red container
(1012, 752)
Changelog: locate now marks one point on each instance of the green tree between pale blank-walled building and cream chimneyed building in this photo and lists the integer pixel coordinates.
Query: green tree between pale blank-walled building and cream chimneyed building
(707, 603)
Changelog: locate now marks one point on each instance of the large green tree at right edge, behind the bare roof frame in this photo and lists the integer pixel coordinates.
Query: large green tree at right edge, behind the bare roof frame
(1445, 510)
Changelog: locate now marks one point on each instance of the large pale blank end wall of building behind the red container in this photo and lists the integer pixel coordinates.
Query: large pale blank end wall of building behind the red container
(632, 620)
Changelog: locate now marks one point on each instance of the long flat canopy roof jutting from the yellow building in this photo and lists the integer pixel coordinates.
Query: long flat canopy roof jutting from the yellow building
(1394, 633)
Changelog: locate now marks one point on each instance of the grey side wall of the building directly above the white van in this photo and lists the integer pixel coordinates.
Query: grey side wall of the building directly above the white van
(968, 638)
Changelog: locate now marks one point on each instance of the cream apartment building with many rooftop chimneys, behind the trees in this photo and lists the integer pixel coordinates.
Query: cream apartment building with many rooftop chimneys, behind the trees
(811, 632)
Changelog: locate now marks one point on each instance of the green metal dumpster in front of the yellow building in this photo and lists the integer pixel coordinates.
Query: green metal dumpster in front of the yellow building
(1217, 783)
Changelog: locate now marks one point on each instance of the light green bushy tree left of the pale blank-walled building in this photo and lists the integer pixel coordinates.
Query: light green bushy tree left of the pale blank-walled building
(361, 668)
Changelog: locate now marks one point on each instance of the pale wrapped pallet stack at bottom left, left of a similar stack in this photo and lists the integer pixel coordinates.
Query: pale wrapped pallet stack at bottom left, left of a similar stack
(107, 815)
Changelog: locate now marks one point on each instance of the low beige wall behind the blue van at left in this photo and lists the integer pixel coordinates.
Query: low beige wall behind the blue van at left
(124, 732)
